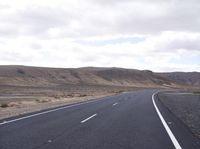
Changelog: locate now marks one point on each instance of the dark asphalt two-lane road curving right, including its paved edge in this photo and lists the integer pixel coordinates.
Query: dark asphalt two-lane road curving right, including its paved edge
(125, 121)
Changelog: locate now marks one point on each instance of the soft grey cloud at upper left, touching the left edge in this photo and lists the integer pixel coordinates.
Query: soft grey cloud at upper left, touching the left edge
(33, 20)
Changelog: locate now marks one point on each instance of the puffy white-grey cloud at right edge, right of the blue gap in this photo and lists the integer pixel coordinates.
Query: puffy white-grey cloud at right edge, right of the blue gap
(169, 42)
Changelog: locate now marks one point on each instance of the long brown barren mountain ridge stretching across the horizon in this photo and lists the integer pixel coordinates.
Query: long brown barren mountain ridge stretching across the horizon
(40, 76)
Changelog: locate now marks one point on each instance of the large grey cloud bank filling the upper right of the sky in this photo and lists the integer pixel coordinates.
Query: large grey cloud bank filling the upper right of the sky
(141, 17)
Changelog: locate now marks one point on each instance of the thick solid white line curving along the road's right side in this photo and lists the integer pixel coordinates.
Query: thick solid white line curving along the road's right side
(171, 135)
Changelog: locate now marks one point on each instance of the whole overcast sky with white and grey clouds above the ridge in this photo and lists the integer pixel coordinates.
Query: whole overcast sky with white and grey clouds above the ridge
(158, 35)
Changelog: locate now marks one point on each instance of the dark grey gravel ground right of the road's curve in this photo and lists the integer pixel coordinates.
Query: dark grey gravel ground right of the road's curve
(186, 106)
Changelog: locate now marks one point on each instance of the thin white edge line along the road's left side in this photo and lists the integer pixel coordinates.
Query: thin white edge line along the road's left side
(45, 112)
